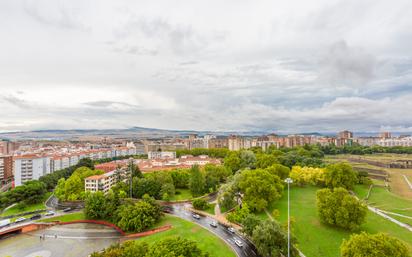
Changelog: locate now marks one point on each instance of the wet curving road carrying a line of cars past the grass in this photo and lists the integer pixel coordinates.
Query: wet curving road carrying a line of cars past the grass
(248, 250)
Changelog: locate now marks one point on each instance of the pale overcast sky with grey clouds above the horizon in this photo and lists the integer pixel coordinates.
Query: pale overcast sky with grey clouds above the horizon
(282, 66)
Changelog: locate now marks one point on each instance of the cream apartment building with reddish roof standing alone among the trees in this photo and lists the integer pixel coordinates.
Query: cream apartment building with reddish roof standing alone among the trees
(101, 183)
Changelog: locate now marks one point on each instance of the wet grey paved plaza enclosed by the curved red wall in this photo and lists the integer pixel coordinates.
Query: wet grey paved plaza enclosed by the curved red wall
(60, 241)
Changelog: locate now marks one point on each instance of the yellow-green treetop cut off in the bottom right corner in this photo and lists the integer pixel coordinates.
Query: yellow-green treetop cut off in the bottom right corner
(377, 245)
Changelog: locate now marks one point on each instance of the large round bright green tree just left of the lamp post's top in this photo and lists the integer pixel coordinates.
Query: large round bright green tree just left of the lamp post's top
(259, 188)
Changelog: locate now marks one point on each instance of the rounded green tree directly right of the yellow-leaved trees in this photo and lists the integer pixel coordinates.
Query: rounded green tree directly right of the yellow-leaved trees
(340, 175)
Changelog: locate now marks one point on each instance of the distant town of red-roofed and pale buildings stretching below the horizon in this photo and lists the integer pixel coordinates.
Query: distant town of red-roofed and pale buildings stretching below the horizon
(25, 160)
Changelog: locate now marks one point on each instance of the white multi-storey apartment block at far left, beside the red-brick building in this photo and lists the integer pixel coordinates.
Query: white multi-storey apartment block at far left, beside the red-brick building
(30, 167)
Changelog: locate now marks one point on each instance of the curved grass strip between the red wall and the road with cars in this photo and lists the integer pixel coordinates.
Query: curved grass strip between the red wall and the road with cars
(206, 240)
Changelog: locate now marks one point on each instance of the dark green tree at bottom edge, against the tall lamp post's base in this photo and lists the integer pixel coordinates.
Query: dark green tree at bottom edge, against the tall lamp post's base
(271, 241)
